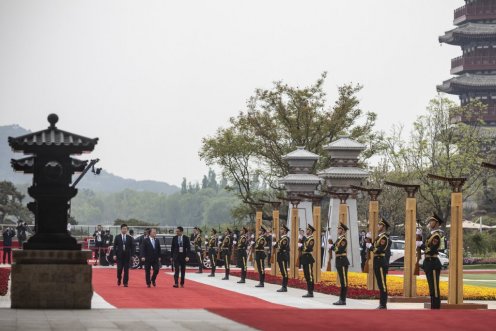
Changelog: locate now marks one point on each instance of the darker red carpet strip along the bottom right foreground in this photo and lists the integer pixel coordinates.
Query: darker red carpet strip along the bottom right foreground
(318, 319)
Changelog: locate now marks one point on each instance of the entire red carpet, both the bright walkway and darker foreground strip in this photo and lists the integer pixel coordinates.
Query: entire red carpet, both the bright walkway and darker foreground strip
(263, 315)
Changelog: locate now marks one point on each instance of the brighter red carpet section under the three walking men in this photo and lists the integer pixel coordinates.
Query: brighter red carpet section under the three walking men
(193, 296)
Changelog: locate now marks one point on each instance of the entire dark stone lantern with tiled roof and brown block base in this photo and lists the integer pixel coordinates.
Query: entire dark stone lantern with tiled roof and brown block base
(51, 260)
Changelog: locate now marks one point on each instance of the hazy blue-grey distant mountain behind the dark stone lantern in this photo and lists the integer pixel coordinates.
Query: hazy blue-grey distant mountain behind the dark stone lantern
(105, 182)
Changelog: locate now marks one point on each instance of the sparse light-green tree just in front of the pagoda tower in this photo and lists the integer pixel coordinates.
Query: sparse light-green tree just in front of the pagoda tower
(439, 146)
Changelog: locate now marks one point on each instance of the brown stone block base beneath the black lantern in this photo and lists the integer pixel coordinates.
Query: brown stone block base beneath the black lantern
(51, 279)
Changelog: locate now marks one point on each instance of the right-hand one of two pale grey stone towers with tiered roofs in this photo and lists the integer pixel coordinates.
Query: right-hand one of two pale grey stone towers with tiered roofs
(342, 173)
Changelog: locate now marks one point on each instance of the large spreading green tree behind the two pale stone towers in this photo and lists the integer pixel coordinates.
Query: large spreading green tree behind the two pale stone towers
(251, 149)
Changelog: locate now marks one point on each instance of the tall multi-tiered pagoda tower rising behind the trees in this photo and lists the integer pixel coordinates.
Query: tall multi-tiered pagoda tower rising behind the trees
(475, 70)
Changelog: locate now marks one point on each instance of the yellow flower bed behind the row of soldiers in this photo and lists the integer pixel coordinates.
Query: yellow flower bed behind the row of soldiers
(395, 286)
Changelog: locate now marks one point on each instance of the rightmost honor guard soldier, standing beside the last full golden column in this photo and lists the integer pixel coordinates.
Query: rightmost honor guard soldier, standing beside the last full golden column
(432, 265)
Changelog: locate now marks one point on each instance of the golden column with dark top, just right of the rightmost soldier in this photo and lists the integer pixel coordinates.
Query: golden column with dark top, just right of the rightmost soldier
(455, 275)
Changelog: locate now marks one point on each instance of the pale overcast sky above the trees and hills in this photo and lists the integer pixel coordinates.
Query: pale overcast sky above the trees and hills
(151, 78)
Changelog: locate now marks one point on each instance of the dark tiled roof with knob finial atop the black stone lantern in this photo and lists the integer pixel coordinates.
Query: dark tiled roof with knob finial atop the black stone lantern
(52, 137)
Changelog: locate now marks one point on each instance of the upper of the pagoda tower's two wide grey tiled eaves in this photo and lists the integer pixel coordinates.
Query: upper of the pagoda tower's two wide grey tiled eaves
(472, 31)
